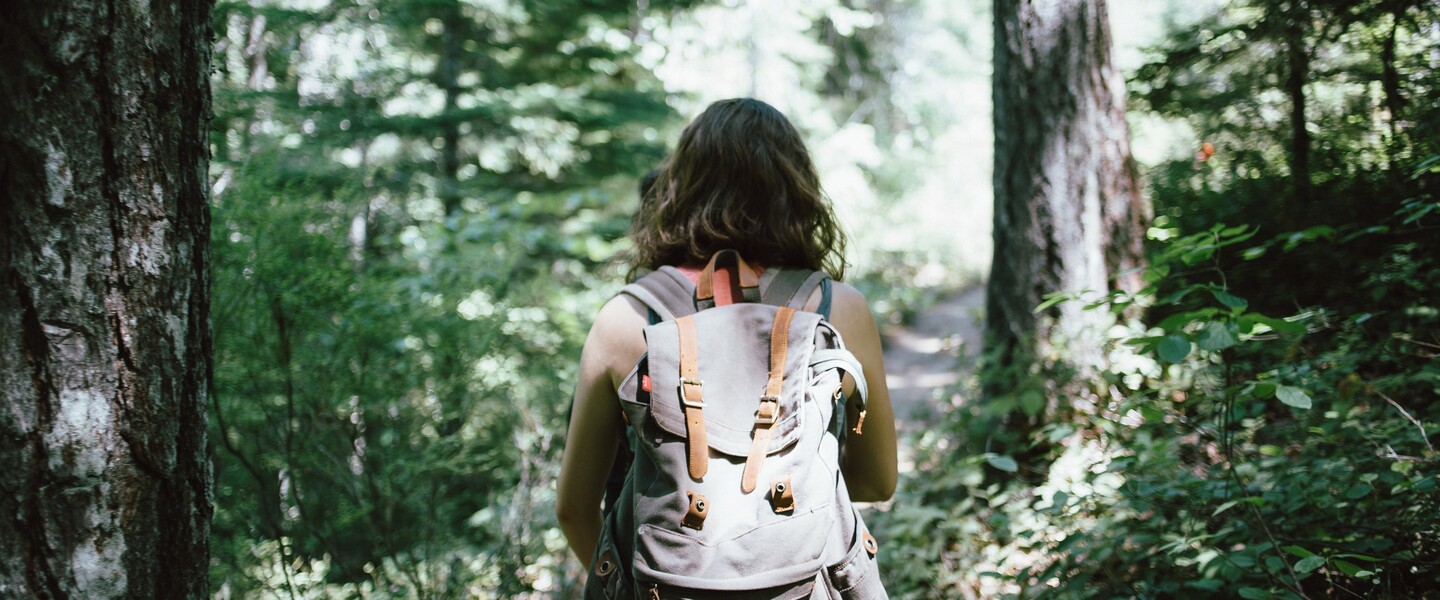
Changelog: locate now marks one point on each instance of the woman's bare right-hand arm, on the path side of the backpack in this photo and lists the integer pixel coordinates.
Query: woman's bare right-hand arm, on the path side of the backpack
(869, 460)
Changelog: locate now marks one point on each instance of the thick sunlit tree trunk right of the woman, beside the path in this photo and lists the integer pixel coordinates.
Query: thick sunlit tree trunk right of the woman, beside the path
(1069, 214)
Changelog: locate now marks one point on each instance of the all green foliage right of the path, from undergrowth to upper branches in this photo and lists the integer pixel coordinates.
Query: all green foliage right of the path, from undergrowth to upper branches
(1274, 394)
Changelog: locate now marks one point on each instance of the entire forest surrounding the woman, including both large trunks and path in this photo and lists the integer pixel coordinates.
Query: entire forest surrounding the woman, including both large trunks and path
(296, 290)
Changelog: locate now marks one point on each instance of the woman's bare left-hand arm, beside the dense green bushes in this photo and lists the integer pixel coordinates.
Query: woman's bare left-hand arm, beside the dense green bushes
(611, 349)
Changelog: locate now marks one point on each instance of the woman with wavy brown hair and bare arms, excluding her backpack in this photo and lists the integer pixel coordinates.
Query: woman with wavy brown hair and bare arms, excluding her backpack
(741, 179)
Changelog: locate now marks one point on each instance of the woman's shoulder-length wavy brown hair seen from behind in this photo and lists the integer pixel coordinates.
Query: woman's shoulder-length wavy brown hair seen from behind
(741, 179)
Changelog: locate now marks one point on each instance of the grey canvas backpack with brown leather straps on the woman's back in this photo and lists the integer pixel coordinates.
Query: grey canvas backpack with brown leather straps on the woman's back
(737, 418)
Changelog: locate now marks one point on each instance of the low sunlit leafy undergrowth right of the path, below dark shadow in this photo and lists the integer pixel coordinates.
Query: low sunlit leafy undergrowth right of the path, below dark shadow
(1259, 457)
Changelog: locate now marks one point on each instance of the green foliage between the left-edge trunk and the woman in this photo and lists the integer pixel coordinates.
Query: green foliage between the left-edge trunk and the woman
(408, 245)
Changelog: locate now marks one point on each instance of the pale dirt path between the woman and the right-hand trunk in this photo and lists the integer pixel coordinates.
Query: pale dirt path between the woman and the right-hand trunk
(932, 353)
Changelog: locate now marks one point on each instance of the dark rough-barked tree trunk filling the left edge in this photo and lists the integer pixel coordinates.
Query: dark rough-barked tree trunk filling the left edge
(104, 306)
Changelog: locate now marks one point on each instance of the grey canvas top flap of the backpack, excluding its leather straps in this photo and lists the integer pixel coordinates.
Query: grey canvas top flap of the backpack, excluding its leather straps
(734, 363)
